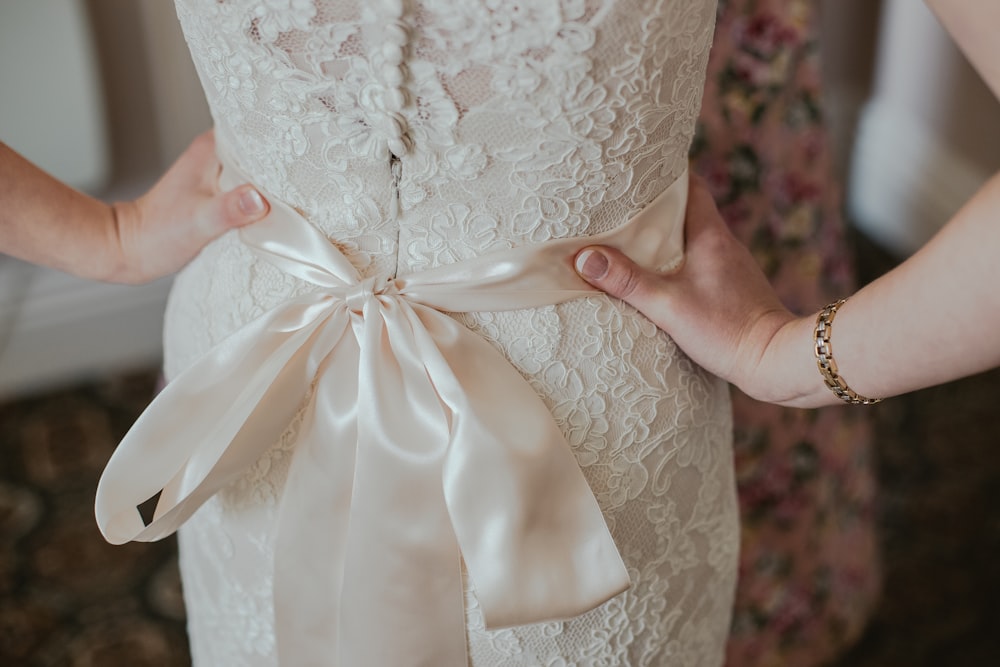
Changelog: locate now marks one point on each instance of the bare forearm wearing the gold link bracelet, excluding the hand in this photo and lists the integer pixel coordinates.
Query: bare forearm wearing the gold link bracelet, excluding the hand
(933, 319)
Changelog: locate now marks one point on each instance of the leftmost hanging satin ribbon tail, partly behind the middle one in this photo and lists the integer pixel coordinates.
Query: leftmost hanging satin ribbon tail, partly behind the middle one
(314, 514)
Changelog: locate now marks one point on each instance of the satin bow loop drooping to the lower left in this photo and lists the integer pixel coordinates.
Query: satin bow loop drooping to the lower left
(210, 424)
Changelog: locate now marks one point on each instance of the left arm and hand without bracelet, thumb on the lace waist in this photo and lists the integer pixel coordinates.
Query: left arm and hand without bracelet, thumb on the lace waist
(47, 222)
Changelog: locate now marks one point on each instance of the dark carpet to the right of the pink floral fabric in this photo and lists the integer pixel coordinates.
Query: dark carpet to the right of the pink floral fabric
(938, 453)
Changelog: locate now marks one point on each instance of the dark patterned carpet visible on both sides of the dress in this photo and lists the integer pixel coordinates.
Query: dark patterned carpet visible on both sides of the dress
(68, 598)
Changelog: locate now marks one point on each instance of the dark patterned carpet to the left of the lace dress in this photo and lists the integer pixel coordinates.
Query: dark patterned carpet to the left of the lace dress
(69, 598)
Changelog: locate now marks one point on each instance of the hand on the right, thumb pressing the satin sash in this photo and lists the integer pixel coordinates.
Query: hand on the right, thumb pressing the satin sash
(718, 306)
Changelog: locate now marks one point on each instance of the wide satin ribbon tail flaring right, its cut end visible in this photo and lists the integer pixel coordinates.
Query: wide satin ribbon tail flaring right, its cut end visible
(533, 538)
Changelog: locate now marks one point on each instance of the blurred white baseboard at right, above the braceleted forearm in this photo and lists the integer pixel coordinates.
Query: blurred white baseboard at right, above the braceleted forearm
(905, 182)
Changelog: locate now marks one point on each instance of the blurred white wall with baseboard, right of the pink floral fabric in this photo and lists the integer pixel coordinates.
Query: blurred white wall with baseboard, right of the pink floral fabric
(928, 137)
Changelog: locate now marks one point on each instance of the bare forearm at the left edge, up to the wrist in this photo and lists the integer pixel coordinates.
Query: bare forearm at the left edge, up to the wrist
(47, 222)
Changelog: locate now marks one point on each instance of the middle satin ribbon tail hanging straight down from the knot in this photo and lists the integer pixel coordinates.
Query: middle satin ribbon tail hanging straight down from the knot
(402, 561)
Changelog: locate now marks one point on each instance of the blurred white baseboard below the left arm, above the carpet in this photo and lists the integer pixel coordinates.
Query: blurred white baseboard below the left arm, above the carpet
(56, 329)
